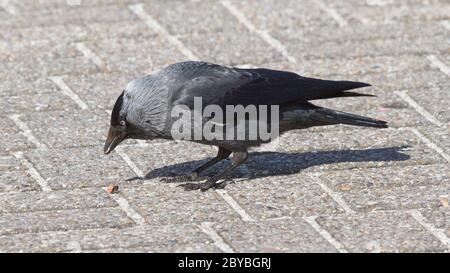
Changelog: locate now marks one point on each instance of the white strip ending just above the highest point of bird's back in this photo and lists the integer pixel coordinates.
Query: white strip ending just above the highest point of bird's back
(138, 9)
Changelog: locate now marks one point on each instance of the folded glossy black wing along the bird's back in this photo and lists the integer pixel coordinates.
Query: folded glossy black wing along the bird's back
(230, 86)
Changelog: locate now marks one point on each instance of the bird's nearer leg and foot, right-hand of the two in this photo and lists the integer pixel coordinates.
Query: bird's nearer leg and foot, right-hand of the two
(238, 159)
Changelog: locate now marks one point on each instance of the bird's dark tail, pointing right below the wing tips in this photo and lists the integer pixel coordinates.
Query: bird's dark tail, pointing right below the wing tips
(330, 116)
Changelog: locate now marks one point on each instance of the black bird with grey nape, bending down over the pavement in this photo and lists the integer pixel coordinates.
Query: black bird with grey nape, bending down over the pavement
(143, 110)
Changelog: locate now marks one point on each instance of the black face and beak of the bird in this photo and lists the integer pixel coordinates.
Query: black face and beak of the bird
(118, 128)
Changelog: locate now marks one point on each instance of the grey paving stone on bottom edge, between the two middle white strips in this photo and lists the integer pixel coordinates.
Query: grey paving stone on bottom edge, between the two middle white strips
(284, 235)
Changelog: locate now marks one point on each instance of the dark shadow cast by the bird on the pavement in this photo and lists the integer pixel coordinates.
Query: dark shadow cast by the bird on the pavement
(262, 164)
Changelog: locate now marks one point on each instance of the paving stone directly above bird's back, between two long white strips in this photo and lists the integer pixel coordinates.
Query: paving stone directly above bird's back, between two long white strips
(214, 27)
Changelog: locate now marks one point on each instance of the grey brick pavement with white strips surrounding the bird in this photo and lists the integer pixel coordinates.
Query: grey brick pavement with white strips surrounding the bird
(333, 189)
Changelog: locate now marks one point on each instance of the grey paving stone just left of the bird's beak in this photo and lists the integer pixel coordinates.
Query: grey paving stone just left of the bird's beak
(69, 129)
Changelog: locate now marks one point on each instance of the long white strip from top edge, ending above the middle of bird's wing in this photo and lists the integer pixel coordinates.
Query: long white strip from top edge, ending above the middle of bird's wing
(261, 33)
